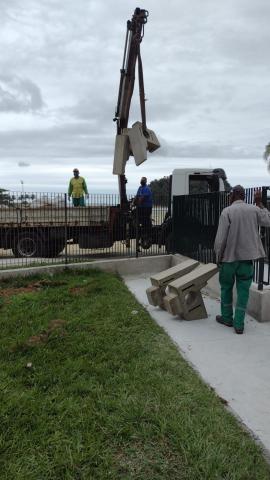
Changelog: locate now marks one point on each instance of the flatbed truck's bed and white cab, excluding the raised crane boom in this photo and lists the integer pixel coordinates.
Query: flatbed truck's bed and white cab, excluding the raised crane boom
(42, 230)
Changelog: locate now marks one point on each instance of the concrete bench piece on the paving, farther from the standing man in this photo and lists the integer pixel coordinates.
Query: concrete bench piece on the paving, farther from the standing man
(160, 281)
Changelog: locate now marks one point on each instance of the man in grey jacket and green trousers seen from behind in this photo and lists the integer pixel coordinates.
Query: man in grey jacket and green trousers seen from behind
(237, 244)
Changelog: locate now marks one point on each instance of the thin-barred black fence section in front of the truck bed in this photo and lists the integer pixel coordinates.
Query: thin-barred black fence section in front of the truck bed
(41, 229)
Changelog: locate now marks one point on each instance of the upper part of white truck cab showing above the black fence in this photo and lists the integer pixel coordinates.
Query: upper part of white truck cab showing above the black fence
(187, 181)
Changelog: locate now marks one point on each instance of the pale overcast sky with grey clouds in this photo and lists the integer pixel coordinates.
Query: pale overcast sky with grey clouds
(206, 73)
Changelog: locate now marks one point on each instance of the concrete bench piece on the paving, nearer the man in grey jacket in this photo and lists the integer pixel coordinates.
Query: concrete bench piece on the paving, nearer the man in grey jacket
(184, 296)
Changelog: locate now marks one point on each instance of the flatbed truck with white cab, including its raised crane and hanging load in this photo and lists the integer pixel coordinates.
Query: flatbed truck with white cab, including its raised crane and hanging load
(35, 230)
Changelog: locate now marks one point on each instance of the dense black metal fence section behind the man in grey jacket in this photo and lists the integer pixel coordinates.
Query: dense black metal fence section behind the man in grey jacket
(195, 223)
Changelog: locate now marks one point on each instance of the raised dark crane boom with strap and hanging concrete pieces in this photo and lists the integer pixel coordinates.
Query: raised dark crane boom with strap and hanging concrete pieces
(138, 139)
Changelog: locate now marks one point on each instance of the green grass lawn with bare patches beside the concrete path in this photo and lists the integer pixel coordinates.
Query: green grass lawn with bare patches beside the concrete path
(92, 388)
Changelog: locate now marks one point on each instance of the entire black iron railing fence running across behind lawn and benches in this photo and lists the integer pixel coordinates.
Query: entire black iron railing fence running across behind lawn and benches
(41, 229)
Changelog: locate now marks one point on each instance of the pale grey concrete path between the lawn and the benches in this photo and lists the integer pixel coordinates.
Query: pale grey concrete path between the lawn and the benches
(236, 366)
